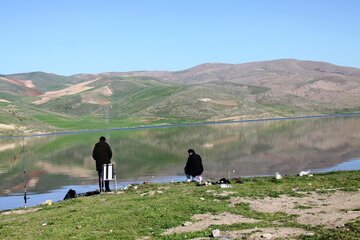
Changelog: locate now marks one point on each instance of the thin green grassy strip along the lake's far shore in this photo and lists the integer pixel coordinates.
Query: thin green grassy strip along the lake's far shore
(61, 125)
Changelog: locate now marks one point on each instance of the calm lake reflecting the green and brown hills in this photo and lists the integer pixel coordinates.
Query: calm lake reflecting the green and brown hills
(56, 163)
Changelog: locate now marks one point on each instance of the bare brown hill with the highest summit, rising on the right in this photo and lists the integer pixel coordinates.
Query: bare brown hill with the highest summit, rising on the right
(305, 84)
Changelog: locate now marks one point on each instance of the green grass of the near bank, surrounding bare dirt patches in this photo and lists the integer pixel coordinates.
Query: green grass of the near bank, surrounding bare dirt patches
(148, 210)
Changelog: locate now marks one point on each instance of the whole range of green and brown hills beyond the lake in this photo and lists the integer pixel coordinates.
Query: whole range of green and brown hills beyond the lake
(43, 102)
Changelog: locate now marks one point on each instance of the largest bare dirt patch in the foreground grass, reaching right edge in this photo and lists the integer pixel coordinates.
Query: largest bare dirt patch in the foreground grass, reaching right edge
(330, 209)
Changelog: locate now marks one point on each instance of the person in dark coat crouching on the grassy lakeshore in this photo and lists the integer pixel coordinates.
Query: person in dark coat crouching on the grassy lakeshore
(194, 167)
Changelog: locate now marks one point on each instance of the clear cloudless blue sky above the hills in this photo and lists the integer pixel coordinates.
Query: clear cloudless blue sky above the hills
(93, 36)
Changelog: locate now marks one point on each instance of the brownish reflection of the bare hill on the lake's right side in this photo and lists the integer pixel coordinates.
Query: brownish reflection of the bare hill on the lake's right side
(310, 144)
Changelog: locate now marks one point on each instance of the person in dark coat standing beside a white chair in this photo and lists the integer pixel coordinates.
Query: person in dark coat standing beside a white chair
(102, 155)
